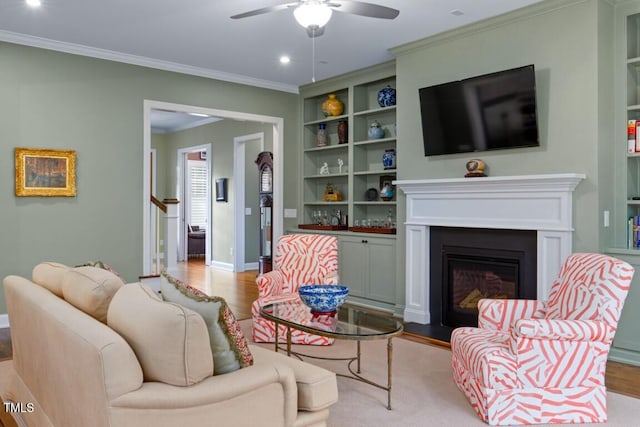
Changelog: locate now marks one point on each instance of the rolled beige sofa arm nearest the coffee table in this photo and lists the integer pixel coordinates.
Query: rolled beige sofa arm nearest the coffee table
(162, 404)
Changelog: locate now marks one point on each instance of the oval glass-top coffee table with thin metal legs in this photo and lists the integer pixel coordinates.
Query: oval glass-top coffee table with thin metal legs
(349, 323)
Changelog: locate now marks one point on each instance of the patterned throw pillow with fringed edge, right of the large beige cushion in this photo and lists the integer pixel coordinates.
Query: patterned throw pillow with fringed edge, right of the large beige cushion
(228, 343)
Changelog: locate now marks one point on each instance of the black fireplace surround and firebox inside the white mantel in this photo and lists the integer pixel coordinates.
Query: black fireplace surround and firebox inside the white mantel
(470, 264)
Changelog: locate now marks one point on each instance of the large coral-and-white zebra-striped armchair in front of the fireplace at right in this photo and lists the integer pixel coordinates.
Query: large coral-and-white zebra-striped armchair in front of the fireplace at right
(533, 362)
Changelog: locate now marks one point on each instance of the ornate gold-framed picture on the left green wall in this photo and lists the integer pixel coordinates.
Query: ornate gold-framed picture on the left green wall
(45, 172)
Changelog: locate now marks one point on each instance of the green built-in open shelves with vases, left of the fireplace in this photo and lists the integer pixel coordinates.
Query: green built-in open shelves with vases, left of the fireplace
(362, 165)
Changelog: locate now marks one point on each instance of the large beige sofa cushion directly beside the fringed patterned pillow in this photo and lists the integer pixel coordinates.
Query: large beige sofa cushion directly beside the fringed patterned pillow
(170, 341)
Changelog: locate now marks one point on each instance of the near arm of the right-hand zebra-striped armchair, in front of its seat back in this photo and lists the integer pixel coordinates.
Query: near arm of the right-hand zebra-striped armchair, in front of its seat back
(563, 330)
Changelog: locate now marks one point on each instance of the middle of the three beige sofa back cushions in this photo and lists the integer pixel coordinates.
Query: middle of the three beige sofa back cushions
(90, 289)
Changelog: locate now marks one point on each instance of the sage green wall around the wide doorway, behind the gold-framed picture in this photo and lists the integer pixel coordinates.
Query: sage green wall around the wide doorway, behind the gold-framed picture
(62, 101)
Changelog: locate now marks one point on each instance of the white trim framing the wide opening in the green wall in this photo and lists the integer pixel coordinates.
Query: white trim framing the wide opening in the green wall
(277, 124)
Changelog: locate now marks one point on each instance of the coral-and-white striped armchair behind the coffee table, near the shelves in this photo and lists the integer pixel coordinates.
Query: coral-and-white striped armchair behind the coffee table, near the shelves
(300, 259)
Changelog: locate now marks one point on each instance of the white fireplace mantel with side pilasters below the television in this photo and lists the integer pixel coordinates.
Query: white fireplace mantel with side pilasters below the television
(530, 202)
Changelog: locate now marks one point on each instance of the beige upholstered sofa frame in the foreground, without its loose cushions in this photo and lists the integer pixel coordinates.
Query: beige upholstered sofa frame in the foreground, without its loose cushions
(77, 371)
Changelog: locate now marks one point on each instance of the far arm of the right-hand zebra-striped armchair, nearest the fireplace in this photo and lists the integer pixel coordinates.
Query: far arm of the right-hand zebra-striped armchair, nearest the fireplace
(499, 314)
